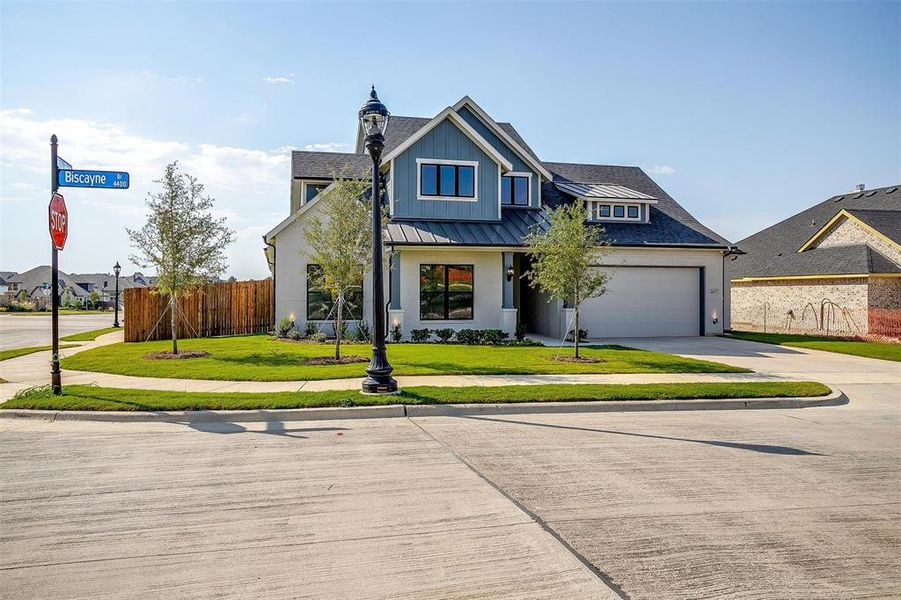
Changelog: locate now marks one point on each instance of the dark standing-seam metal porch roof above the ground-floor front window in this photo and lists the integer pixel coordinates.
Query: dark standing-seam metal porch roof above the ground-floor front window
(510, 231)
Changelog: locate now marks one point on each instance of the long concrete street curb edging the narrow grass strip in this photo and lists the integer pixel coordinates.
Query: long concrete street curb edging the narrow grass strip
(836, 398)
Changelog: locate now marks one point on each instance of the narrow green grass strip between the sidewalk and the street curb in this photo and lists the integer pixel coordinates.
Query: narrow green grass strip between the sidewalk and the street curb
(82, 397)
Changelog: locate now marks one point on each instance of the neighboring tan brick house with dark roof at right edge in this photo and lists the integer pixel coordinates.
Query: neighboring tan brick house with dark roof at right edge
(833, 269)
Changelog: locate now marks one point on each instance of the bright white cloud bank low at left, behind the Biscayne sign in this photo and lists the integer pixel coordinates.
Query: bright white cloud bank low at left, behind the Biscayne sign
(251, 188)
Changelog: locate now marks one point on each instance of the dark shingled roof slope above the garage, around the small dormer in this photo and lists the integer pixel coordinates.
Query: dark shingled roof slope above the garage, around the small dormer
(669, 224)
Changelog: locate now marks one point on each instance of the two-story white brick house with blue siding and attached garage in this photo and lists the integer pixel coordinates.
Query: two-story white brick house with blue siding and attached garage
(463, 190)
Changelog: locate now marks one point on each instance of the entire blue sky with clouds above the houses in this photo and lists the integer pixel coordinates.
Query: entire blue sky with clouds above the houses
(745, 113)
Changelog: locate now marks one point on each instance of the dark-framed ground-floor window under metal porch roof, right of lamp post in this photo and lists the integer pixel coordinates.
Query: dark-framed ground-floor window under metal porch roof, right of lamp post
(446, 292)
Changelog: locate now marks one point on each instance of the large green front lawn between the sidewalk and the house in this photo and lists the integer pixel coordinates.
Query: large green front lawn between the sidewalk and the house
(260, 358)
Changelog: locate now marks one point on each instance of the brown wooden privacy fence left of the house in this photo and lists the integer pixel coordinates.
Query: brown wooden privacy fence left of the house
(213, 309)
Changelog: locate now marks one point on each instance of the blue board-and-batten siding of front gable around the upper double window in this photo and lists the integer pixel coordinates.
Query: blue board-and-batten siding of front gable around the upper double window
(445, 141)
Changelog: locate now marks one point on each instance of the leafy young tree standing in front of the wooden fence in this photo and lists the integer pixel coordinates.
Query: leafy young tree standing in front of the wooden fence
(182, 239)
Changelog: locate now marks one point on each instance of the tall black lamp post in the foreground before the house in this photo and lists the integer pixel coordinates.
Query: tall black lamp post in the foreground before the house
(374, 119)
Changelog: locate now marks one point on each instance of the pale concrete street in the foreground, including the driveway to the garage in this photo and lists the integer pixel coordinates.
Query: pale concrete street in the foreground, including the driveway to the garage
(707, 504)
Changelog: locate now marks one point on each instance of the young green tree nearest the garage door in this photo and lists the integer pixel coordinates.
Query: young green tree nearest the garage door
(563, 257)
